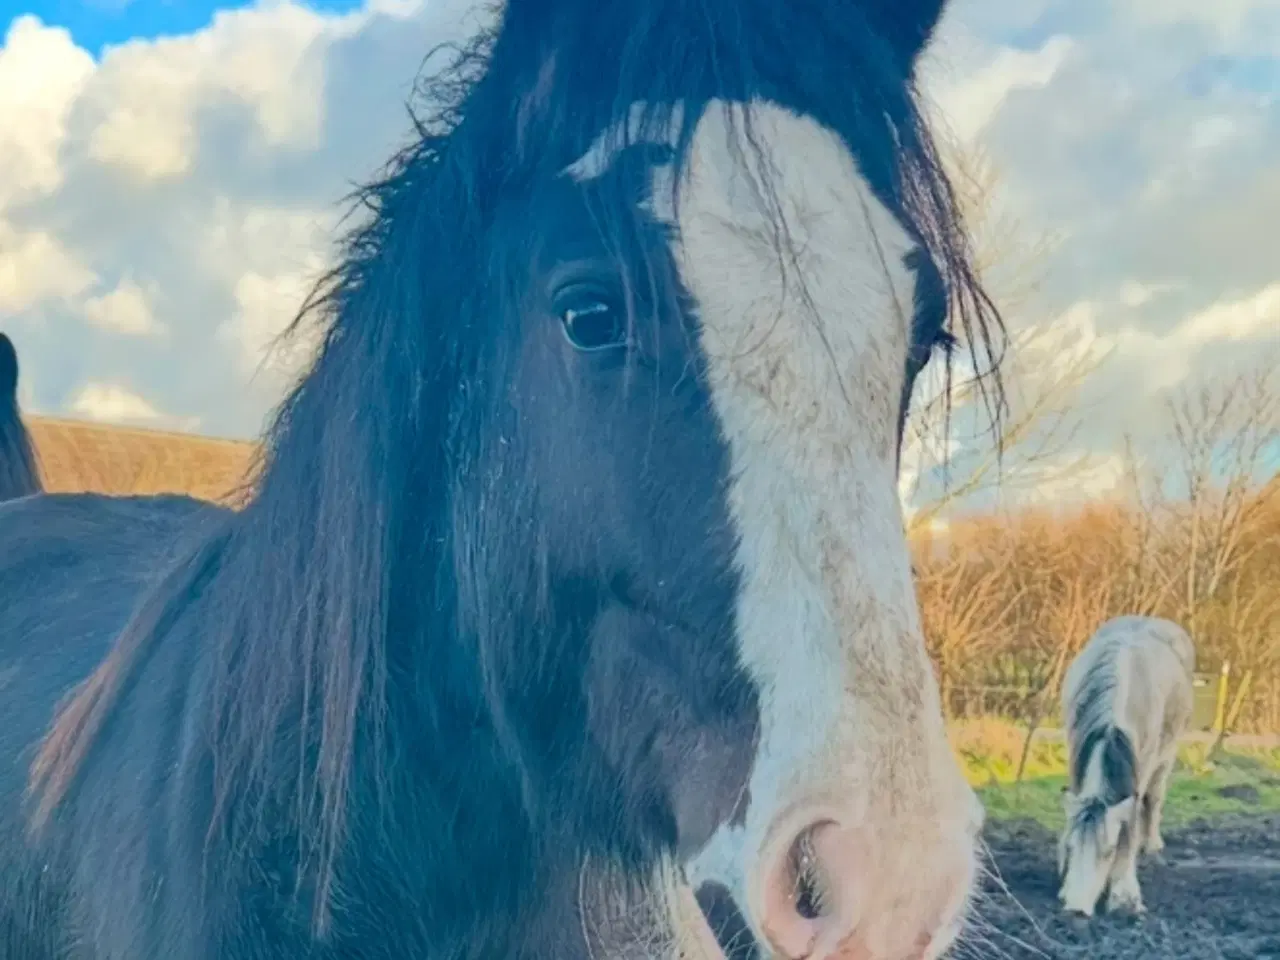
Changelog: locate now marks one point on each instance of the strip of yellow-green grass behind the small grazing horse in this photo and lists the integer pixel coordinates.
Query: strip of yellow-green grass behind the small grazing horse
(990, 749)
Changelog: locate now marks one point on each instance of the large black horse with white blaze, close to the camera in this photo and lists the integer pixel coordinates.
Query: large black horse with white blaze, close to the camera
(574, 559)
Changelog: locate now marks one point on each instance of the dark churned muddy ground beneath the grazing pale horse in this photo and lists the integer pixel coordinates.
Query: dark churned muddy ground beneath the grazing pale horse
(1215, 897)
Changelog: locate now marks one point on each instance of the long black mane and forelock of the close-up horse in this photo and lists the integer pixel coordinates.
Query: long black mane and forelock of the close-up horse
(350, 573)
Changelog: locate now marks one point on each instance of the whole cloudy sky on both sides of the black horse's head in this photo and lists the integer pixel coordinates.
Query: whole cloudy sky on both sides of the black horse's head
(171, 173)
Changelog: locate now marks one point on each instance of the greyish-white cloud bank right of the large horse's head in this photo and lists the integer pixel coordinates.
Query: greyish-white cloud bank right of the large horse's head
(1148, 148)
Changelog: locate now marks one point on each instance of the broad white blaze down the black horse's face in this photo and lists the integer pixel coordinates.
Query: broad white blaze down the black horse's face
(798, 275)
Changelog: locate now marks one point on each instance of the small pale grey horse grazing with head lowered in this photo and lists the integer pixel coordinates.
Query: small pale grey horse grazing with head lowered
(1127, 701)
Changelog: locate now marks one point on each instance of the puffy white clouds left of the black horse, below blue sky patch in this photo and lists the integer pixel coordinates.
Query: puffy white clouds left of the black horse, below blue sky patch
(189, 186)
